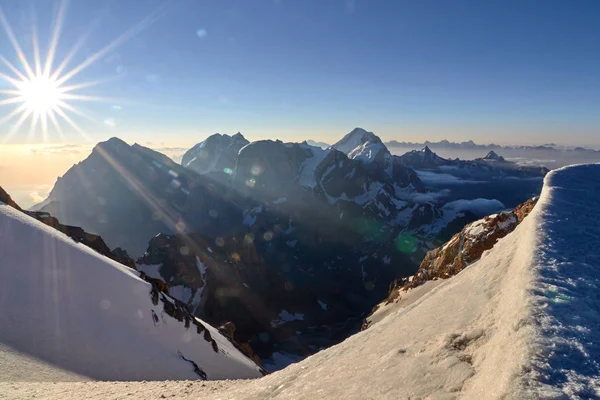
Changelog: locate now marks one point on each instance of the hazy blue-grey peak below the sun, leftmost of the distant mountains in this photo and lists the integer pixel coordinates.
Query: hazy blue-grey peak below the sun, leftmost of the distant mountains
(127, 194)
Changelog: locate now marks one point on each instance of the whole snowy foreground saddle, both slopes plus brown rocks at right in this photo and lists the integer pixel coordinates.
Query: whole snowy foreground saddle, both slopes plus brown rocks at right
(505, 309)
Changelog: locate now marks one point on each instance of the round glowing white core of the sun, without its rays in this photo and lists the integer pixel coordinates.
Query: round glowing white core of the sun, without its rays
(40, 95)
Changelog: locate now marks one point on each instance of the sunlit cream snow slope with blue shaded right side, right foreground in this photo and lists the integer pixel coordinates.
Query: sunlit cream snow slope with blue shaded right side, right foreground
(522, 322)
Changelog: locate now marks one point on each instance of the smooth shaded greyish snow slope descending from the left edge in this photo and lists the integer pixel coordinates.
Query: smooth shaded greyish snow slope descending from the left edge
(65, 311)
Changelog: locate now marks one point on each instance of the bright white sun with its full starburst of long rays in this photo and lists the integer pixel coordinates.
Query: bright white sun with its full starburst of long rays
(41, 94)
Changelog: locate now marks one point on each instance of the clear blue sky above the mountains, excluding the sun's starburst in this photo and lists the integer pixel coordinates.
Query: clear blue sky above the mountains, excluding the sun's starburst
(524, 71)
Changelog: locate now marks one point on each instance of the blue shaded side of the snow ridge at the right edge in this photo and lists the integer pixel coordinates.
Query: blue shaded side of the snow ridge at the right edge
(566, 305)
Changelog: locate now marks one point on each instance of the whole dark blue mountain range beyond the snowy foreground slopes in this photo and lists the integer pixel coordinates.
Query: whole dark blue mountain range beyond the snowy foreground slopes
(287, 244)
